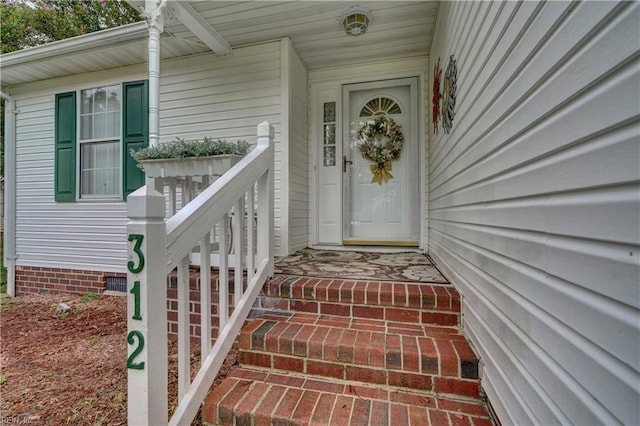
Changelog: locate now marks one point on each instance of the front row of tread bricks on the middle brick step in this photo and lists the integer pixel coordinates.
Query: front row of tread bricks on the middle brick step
(444, 354)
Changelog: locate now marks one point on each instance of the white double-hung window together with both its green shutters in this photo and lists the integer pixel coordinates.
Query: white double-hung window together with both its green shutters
(95, 129)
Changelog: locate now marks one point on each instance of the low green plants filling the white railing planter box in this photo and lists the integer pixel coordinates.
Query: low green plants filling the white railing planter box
(181, 148)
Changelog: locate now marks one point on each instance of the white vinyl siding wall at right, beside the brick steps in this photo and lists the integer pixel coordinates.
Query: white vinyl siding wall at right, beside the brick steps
(535, 203)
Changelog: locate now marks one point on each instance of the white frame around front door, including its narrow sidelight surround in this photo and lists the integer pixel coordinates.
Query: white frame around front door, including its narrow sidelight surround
(324, 91)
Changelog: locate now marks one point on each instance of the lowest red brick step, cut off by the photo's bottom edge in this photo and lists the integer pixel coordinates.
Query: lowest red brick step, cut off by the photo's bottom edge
(261, 397)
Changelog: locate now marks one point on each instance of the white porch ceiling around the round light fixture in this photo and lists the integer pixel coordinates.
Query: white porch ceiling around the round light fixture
(398, 29)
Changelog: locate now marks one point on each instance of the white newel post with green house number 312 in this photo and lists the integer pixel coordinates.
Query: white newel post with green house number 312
(146, 308)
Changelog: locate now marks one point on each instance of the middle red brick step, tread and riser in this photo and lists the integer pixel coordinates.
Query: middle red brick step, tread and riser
(431, 358)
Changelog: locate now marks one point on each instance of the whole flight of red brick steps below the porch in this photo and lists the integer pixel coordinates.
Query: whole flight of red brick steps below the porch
(331, 351)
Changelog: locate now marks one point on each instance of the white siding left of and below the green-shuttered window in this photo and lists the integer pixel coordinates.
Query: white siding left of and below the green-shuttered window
(79, 235)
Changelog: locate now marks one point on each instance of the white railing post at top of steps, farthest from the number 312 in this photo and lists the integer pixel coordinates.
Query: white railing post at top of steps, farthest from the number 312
(265, 201)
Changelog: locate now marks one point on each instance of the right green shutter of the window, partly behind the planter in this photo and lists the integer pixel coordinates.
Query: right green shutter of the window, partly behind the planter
(135, 132)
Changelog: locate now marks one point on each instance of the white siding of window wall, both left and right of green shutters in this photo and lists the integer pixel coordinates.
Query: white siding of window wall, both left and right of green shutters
(203, 95)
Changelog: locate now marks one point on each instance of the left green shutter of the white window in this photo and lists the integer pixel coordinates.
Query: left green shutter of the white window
(65, 147)
